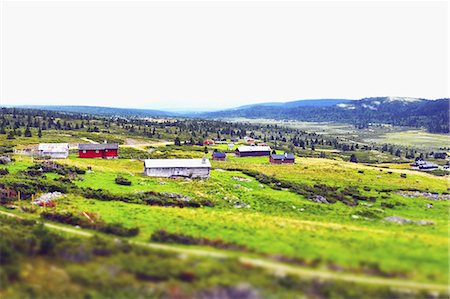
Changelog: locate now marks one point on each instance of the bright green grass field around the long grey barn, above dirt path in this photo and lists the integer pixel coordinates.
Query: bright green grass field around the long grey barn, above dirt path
(281, 224)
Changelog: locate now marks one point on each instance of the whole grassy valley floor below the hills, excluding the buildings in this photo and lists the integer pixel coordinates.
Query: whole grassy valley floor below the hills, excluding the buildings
(248, 209)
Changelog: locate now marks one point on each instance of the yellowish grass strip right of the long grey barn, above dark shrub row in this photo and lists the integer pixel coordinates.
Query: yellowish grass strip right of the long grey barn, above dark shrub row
(340, 173)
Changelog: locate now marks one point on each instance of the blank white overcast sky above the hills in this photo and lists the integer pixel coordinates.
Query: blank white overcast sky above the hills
(213, 55)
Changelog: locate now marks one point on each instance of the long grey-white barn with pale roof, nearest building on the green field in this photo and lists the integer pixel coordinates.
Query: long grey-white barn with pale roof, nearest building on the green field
(189, 168)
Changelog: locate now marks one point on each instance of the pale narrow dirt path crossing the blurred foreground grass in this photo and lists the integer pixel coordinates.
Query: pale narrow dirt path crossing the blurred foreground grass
(273, 267)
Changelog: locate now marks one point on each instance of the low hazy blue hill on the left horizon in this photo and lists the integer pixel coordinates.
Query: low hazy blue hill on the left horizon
(105, 111)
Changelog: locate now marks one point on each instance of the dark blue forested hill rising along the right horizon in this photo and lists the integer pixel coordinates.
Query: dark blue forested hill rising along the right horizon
(402, 111)
